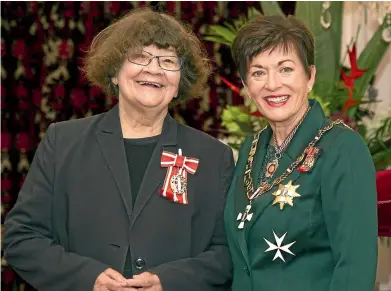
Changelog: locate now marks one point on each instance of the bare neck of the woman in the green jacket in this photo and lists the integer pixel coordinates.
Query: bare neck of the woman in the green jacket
(282, 129)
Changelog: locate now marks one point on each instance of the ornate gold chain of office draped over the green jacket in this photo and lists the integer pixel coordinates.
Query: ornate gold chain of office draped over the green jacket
(264, 187)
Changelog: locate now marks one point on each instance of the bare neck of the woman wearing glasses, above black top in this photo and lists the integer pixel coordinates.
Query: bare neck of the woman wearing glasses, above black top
(139, 124)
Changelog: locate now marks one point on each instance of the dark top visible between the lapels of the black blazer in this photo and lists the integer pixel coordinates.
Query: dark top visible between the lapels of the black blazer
(138, 153)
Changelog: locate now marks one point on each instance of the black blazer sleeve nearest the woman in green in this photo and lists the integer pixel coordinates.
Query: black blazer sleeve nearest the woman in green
(212, 269)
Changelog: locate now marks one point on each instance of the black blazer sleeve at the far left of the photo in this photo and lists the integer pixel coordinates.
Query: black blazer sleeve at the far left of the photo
(29, 244)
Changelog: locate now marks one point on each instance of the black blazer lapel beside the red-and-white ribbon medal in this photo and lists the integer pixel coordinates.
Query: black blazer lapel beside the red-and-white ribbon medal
(155, 174)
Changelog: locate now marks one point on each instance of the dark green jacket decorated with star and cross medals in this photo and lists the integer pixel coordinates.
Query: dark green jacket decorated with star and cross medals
(332, 225)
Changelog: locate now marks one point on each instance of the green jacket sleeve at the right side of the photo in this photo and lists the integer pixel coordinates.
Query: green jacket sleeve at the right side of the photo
(349, 200)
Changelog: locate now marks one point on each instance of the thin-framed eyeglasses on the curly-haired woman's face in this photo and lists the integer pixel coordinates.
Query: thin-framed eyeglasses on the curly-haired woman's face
(167, 63)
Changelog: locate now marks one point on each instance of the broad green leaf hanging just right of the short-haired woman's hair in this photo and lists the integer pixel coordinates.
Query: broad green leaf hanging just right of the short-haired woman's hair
(325, 53)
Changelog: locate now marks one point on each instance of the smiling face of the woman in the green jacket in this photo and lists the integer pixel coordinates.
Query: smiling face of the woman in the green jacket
(279, 85)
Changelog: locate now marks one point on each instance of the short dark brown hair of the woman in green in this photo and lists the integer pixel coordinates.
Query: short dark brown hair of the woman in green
(271, 32)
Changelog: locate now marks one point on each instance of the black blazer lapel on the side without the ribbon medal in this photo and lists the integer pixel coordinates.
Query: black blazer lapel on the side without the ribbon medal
(111, 143)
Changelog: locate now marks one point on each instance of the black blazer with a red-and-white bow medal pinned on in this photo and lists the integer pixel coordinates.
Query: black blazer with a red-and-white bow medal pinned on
(74, 216)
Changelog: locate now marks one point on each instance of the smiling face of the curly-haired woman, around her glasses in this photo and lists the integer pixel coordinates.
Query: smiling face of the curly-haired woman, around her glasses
(148, 87)
